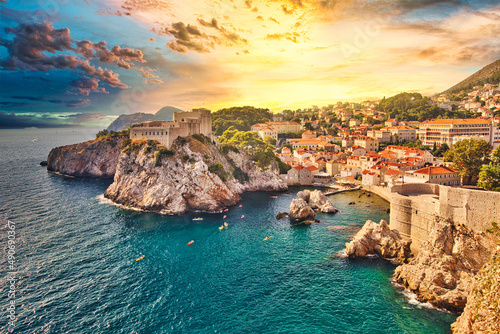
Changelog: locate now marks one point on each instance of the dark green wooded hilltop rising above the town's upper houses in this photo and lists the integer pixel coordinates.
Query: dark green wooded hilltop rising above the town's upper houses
(414, 107)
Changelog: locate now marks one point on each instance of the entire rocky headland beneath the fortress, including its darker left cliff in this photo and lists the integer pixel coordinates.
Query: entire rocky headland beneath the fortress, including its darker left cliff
(193, 175)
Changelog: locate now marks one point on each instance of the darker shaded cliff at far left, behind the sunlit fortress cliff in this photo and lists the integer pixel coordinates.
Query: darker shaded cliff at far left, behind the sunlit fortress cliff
(95, 158)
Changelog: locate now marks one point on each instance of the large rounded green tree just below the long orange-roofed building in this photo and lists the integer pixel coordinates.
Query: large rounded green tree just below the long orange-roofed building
(468, 155)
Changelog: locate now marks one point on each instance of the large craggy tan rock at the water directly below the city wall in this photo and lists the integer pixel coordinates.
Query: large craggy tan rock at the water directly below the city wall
(443, 271)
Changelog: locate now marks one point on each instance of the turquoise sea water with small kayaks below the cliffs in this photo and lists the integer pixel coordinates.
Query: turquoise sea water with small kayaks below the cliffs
(77, 269)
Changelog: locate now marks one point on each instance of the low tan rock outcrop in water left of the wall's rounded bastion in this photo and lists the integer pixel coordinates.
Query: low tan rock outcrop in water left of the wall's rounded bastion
(379, 239)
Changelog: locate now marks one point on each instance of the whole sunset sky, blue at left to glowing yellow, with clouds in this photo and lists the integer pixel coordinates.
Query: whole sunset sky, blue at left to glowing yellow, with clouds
(72, 62)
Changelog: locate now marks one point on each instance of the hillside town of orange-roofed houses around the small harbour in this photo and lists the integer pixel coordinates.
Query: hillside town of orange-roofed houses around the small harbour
(358, 144)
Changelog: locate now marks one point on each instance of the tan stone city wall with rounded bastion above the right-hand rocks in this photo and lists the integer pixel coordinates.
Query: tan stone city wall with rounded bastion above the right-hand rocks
(415, 208)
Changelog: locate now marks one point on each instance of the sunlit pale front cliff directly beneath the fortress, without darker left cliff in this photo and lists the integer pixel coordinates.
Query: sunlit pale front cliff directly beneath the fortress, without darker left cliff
(193, 176)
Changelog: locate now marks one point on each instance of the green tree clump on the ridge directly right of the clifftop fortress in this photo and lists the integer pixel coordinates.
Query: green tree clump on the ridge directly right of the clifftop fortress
(238, 118)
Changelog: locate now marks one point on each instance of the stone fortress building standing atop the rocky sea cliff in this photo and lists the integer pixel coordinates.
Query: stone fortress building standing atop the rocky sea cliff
(197, 121)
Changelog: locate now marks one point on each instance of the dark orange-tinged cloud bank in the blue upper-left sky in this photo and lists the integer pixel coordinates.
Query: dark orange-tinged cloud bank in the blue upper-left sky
(32, 43)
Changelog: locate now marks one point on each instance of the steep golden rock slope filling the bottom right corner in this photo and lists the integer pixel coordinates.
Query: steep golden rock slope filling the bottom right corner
(482, 312)
